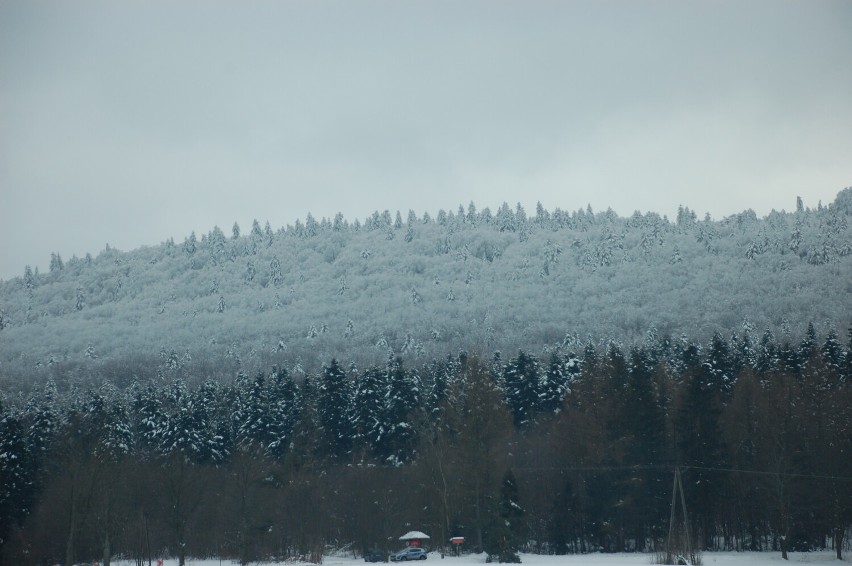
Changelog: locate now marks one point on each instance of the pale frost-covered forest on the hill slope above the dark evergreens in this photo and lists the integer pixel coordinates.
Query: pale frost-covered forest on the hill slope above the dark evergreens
(418, 287)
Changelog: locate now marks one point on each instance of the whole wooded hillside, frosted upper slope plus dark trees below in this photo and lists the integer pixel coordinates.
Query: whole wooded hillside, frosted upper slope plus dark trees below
(531, 382)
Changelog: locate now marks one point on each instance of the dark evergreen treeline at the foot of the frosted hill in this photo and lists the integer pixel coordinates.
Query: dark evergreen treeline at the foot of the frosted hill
(571, 452)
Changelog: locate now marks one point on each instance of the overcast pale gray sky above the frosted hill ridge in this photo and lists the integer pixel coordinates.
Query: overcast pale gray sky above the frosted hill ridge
(131, 122)
